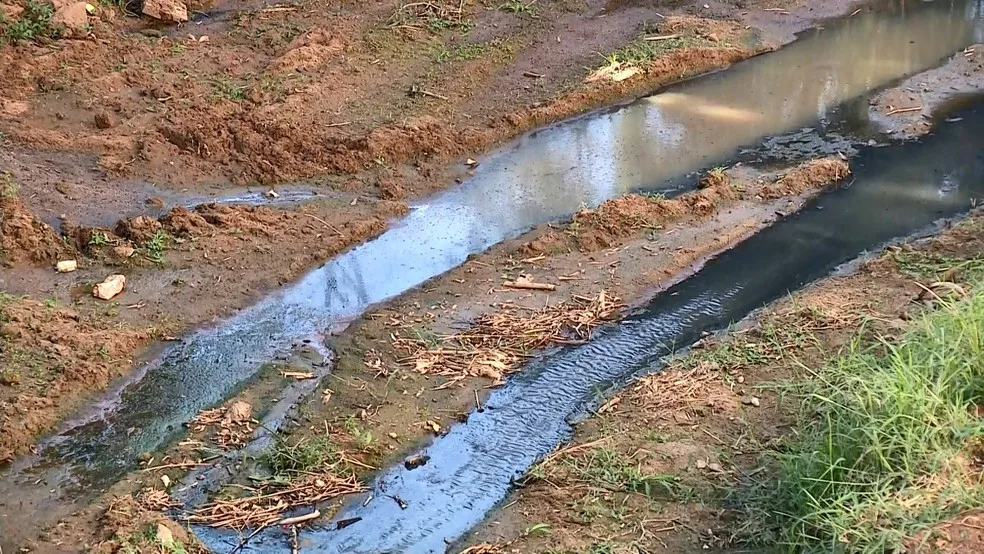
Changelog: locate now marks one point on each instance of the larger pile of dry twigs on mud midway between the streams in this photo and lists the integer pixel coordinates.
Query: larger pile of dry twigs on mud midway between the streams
(499, 342)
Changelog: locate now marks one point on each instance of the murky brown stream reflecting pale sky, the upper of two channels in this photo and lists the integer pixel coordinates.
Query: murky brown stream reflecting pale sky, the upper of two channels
(544, 176)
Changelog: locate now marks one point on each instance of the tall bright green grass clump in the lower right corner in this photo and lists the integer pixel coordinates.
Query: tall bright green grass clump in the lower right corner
(884, 444)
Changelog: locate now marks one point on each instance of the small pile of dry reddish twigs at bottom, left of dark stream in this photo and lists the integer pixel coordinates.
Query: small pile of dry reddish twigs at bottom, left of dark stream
(268, 503)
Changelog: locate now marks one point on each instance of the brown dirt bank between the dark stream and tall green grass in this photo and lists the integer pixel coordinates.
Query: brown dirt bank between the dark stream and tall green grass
(694, 422)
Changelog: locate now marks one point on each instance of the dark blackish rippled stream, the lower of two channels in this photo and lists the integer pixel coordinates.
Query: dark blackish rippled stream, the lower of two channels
(898, 190)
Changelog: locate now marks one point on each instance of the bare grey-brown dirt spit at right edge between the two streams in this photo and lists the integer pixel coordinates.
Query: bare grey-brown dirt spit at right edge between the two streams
(906, 111)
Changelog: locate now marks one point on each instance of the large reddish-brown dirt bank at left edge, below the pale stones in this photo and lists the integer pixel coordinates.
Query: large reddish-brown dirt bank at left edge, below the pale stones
(50, 357)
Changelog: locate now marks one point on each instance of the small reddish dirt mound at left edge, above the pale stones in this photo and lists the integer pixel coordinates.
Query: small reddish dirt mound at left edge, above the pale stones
(24, 237)
